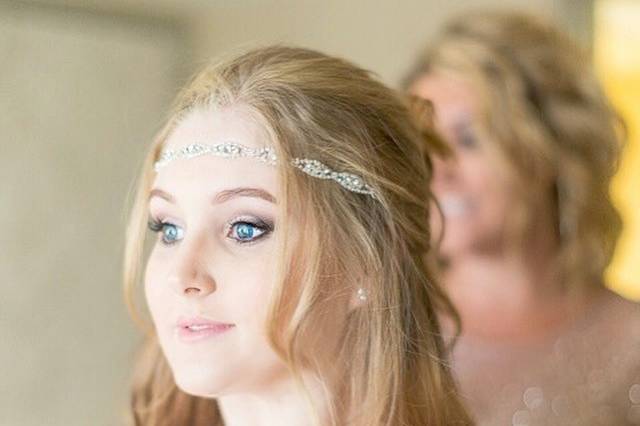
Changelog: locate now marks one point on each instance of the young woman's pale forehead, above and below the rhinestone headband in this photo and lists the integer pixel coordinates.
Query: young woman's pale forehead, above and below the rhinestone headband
(208, 174)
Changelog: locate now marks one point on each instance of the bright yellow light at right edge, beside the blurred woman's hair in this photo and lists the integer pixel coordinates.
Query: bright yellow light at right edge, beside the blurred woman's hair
(617, 59)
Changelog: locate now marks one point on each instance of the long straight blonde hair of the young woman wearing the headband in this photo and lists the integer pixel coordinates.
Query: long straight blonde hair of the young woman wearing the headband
(392, 352)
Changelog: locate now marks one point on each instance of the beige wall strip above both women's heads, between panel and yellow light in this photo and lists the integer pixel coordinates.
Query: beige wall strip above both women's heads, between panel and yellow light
(382, 36)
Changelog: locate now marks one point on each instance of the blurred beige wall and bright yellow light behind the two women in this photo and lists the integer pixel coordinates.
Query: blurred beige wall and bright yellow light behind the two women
(84, 85)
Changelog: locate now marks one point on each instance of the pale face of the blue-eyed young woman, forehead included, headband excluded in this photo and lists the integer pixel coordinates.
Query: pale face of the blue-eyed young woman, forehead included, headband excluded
(211, 270)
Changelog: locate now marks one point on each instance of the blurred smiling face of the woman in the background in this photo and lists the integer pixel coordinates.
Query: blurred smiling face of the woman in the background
(473, 196)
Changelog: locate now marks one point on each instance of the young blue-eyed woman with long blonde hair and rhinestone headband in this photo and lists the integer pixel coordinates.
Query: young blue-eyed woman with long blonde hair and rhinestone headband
(286, 283)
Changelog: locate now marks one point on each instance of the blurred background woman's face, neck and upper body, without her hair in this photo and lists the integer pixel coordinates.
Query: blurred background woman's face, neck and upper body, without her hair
(530, 352)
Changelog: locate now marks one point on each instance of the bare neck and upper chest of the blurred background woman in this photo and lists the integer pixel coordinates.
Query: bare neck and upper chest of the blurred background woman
(511, 295)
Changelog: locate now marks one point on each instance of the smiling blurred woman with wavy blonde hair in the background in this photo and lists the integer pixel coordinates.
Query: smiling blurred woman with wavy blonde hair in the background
(529, 226)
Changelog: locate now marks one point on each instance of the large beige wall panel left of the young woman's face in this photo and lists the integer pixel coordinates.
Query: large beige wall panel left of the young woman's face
(80, 96)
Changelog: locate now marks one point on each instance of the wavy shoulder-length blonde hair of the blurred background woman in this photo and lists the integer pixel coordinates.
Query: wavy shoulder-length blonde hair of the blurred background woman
(550, 126)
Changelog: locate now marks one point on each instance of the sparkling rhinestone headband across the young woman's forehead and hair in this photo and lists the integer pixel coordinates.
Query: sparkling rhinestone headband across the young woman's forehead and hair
(312, 168)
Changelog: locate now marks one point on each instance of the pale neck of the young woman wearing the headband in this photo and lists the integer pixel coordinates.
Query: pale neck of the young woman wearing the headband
(285, 403)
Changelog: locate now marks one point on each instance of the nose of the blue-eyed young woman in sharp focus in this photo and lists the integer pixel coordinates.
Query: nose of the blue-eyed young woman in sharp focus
(192, 276)
